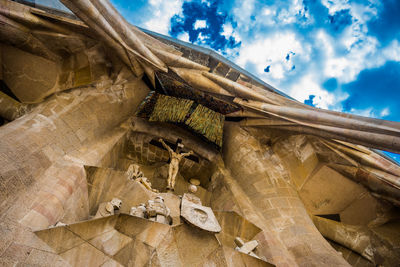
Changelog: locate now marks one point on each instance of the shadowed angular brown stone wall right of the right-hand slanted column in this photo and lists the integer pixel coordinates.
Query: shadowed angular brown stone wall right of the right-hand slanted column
(318, 185)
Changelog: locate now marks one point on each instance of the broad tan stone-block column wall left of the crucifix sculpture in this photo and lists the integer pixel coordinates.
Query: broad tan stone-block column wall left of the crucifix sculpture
(42, 156)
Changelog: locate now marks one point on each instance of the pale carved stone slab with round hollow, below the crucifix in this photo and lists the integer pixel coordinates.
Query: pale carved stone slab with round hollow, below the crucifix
(193, 212)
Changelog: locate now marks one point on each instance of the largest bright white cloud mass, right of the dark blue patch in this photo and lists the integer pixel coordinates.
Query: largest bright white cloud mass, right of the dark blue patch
(344, 56)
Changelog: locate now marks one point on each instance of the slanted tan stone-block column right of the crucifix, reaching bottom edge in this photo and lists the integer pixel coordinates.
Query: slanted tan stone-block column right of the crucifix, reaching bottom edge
(257, 170)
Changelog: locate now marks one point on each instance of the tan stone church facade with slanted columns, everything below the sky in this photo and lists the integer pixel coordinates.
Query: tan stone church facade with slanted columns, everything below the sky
(296, 194)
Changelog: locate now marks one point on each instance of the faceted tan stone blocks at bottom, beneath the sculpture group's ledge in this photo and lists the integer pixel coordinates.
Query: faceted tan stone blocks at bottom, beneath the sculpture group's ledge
(130, 241)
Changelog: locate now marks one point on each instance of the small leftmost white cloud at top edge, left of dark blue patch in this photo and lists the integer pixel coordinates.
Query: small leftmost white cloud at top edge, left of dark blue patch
(163, 10)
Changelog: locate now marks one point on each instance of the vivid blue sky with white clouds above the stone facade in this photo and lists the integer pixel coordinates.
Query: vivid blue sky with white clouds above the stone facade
(341, 55)
